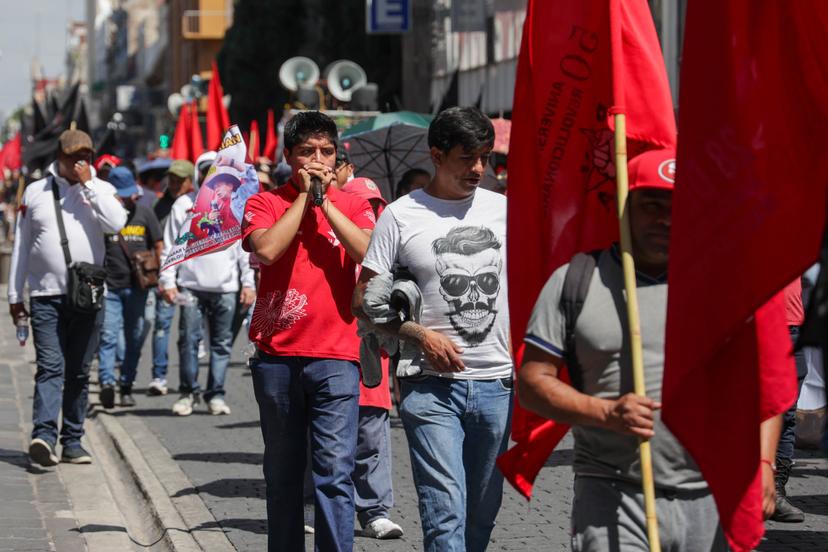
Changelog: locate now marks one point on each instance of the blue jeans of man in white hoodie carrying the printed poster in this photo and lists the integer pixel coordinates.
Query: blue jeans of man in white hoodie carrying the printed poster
(219, 309)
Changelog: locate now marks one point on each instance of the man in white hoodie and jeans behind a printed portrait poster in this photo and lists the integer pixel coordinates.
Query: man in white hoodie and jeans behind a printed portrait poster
(211, 282)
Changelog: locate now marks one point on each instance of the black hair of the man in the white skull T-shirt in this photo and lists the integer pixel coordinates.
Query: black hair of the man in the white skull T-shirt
(466, 126)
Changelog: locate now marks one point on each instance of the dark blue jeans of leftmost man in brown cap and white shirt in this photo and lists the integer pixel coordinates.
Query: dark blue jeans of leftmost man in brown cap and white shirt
(65, 342)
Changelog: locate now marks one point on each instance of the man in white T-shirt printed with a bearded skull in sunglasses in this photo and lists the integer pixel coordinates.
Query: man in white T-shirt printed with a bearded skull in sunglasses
(452, 237)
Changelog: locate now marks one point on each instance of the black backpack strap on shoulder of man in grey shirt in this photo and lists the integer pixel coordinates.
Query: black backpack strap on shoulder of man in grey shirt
(573, 295)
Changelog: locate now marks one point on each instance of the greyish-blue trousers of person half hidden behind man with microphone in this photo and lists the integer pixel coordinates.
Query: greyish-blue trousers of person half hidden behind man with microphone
(373, 495)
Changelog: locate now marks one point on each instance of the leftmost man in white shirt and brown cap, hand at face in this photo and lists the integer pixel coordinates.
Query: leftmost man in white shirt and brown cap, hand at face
(65, 340)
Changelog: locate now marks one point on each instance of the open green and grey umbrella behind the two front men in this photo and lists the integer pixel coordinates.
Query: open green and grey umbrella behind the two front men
(384, 147)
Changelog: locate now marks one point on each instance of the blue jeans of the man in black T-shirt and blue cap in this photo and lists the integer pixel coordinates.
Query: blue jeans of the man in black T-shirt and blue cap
(124, 312)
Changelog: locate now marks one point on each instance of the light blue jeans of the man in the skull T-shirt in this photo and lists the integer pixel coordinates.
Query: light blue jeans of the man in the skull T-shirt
(456, 429)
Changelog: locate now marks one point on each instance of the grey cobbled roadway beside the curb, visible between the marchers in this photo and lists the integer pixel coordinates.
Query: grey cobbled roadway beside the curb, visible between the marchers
(222, 457)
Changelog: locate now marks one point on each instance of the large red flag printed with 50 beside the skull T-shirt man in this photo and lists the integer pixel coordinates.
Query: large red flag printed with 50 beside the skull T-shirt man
(561, 164)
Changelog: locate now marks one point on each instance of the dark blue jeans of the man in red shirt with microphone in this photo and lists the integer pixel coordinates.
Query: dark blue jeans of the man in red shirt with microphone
(302, 397)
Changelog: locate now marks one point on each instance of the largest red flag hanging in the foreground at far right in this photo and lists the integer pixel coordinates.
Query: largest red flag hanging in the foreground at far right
(748, 216)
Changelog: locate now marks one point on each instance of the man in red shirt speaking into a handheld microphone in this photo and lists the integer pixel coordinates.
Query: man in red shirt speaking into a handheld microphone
(305, 372)
